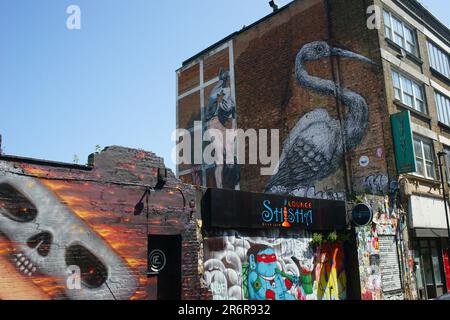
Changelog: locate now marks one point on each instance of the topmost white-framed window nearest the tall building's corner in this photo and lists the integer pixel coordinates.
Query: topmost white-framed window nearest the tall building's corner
(399, 32)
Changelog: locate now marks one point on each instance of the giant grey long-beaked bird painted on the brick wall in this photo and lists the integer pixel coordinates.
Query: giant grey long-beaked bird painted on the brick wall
(316, 145)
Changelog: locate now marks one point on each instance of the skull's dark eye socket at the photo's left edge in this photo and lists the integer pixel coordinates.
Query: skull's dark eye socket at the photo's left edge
(15, 206)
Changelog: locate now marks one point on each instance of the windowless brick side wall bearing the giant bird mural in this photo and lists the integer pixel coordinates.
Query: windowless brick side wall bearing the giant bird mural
(309, 74)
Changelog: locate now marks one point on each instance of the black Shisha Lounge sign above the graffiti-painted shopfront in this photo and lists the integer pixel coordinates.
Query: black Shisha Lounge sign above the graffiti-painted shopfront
(245, 210)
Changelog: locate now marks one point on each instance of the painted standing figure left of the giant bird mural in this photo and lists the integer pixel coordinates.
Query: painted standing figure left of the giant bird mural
(220, 109)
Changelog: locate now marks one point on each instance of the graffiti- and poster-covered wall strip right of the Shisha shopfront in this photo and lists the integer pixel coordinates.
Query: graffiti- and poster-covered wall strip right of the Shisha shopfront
(385, 262)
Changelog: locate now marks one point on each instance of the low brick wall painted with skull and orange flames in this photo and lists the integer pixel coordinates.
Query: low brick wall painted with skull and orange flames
(70, 232)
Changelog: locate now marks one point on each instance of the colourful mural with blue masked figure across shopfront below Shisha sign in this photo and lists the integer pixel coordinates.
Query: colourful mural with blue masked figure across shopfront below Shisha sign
(264, 268)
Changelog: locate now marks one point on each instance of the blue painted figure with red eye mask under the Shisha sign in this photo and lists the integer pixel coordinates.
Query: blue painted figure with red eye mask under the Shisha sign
(265, 282)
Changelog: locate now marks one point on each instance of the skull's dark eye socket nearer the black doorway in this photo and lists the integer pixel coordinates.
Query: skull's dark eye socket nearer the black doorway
(93, 272)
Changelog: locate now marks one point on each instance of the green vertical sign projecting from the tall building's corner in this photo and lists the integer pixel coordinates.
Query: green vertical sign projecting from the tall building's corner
(403, 142)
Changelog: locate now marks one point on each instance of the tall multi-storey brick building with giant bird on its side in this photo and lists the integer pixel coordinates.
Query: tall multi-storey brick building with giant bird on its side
(329, 75)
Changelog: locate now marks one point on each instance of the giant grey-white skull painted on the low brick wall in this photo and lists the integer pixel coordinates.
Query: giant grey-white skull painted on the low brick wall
(48, 238)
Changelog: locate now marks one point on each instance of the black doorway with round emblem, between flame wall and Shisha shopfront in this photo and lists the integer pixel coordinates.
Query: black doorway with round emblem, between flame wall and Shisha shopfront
(164, 264)
